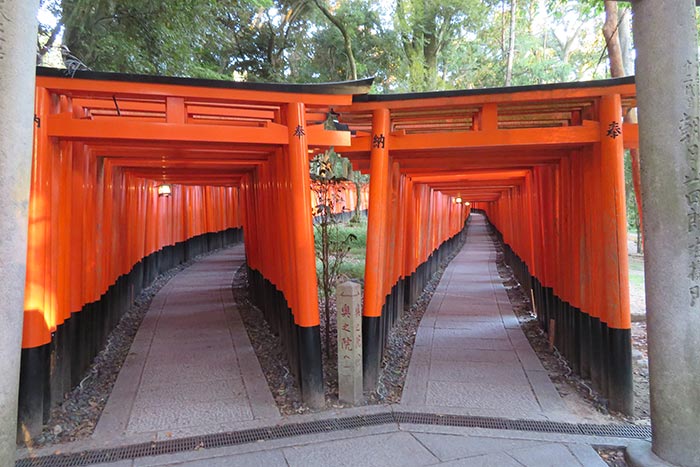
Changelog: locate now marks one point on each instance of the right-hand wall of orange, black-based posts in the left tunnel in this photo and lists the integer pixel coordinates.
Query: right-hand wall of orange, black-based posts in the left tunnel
(281, 256)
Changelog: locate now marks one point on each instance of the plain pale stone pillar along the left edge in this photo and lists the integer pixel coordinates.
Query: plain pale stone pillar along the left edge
(17, 68)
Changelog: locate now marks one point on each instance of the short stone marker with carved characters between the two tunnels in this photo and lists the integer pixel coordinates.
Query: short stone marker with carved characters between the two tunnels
(349, 322)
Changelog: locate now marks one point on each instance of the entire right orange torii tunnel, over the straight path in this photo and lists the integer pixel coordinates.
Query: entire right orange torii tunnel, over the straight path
(546, 165)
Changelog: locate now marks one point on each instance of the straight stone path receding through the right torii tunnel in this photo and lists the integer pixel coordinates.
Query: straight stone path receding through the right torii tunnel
(470, 354)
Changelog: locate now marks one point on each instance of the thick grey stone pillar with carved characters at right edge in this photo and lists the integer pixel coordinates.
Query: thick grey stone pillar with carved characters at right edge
(668, 88)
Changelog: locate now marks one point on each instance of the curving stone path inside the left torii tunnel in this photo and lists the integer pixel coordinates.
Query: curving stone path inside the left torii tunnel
(191, 368)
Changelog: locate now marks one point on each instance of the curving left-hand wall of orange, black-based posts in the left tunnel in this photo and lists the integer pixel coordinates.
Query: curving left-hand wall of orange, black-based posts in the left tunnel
(97, 236)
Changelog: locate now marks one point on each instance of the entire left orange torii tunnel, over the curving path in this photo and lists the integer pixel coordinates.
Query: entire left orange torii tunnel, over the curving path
(237, 158)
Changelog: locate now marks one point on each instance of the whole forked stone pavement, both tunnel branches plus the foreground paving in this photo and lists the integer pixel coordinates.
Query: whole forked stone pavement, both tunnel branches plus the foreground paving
(192, 370)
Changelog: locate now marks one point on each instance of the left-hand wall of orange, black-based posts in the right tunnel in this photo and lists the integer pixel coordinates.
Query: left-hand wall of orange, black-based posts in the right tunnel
(411, 228)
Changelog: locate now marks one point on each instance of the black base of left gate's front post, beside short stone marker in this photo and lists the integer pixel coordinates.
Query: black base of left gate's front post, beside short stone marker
(311, 368)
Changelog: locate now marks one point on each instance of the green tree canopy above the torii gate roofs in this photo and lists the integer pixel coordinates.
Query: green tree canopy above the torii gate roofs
(409, 45)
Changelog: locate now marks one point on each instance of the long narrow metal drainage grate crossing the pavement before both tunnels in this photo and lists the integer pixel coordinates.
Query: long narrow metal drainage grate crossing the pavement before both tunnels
(234, 438)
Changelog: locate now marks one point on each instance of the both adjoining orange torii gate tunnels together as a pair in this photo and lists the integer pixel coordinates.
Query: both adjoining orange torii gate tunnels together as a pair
(545, 163)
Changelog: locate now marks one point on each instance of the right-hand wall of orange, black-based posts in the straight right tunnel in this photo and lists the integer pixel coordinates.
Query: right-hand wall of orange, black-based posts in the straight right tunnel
(565, 231)
